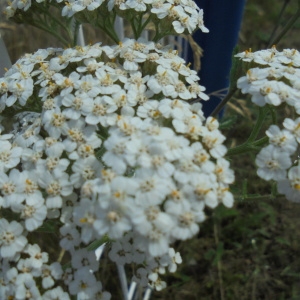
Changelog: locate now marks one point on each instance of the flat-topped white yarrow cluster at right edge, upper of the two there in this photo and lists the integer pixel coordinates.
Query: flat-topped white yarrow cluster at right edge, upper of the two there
(275, 79)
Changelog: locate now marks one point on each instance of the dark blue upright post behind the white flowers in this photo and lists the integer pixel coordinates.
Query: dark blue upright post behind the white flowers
(223, 19)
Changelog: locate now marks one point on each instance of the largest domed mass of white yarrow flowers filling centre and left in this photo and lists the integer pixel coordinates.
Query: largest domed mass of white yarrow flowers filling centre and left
(113, 149)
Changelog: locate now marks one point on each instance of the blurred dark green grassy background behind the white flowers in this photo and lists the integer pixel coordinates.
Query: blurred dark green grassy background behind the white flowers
(248, 252)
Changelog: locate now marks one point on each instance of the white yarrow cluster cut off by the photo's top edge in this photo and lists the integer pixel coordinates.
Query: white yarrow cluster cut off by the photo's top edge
(184, 16)
